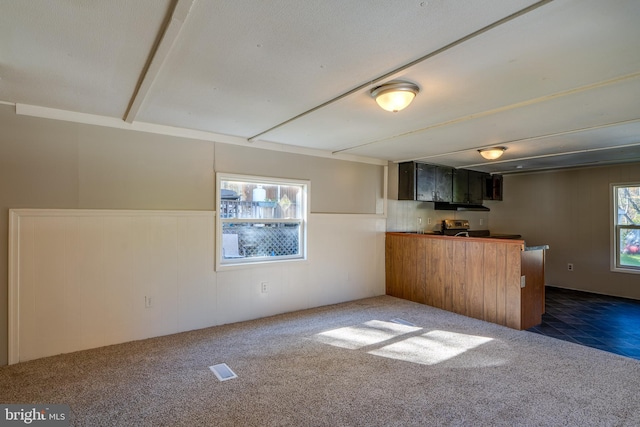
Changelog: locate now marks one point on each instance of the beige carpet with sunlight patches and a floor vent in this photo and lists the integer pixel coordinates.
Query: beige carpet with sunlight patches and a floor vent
(342, 365)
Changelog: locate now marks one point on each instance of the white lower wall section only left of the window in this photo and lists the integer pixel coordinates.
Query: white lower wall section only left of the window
(80, 278)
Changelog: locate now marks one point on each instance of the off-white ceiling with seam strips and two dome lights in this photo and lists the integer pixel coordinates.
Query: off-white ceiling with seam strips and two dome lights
(555, 82)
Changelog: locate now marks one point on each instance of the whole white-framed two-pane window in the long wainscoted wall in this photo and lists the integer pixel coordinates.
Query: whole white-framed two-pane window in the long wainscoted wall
(260, 219)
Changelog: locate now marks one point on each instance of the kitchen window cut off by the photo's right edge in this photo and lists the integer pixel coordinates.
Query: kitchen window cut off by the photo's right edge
(626, 225)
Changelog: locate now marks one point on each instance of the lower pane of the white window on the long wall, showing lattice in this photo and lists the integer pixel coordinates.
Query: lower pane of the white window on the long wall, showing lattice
(252, 240)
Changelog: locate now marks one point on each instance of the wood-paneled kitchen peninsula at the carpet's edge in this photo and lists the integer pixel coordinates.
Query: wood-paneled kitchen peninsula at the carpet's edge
(496, 280)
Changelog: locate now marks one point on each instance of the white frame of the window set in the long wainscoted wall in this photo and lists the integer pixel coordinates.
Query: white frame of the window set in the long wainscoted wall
(234, 263)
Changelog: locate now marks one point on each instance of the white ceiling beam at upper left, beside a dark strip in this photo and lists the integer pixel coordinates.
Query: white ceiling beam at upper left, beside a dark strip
(160, 51)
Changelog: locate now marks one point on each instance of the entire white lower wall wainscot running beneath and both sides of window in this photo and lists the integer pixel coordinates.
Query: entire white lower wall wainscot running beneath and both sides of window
(80, 279)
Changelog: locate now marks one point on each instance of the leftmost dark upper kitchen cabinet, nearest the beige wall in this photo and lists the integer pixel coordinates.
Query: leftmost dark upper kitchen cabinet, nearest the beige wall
(424, 182)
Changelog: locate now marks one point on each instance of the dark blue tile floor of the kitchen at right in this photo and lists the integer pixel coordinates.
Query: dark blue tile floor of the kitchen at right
(608, 323)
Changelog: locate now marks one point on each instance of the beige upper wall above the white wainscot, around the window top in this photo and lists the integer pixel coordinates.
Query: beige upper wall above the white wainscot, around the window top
(55, 164)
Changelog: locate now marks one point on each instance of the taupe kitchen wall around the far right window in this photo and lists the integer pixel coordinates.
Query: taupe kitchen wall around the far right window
(571, 211)
